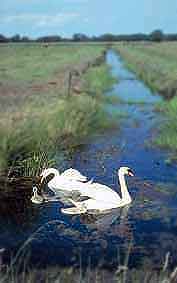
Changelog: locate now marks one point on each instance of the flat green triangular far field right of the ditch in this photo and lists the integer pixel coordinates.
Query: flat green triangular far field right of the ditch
(155, 63)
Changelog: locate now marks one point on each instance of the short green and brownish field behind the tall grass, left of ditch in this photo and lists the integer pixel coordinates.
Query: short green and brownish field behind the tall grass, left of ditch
(30, 69)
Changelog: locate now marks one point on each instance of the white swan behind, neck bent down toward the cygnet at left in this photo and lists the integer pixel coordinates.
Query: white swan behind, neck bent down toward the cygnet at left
(69, 180)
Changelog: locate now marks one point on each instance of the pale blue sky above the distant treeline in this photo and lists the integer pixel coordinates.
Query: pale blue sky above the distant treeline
(36, 18)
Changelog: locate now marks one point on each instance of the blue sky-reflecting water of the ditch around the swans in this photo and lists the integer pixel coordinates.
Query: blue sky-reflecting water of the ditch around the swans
(150, 222)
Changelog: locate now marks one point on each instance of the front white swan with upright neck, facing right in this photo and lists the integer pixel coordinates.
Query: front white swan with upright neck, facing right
(101, 197)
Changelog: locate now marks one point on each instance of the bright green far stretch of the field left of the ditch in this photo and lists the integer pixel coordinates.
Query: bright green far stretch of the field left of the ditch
(24, 64)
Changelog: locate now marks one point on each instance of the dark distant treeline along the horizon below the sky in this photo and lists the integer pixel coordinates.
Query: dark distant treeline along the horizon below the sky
(156, 35)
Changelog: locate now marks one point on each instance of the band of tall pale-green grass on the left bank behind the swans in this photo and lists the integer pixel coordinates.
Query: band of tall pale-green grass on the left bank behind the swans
(67, 123)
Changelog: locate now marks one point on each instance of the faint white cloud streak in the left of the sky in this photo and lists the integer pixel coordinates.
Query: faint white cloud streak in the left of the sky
(41, 20)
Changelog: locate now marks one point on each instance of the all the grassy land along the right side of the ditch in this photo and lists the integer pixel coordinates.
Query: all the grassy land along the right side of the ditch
(156, 64)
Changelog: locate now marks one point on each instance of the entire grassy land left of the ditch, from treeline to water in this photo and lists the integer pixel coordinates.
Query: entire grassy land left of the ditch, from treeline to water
(36, 114)
